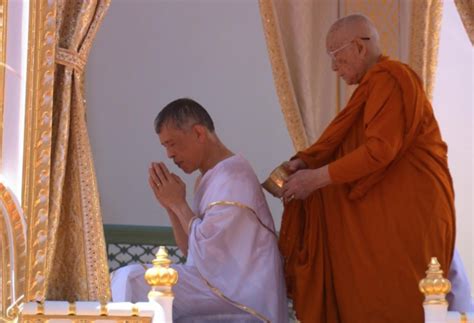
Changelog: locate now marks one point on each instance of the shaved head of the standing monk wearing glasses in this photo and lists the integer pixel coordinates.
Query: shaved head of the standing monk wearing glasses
(352, 43)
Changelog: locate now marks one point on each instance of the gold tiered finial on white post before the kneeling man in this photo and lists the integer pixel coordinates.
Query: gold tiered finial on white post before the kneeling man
(161, 277)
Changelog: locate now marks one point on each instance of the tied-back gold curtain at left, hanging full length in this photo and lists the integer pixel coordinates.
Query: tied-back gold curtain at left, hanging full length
(76, 261)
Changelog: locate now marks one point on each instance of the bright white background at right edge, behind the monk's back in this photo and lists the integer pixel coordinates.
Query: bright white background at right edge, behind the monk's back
(453, 103)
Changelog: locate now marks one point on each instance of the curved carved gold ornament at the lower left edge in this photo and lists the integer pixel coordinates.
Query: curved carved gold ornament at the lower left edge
(13, 254)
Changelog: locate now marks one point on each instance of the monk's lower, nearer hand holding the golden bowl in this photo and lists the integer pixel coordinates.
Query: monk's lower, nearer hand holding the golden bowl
(304, 182)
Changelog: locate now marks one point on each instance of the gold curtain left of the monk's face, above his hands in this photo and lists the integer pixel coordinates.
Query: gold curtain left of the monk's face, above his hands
(295, 33)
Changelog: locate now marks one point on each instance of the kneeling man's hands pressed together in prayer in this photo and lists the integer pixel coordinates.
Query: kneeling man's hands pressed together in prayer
(168, 188)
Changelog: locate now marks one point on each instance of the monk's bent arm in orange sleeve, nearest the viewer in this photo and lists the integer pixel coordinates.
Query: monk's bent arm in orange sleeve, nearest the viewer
(384, 124)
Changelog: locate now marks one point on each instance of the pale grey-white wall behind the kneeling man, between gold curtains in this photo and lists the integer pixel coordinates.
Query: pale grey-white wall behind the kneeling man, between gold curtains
(148, 53)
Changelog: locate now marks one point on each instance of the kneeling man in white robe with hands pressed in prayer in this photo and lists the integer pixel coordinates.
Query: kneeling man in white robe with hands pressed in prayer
(233, 267)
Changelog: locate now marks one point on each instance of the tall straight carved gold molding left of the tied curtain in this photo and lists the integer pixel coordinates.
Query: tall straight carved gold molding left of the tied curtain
(37, 150)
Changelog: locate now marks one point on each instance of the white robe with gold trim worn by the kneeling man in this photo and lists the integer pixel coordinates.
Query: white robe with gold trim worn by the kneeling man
(233, 264)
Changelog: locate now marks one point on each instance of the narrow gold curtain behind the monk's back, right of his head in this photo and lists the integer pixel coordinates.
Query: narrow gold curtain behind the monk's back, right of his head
(424, 42)
